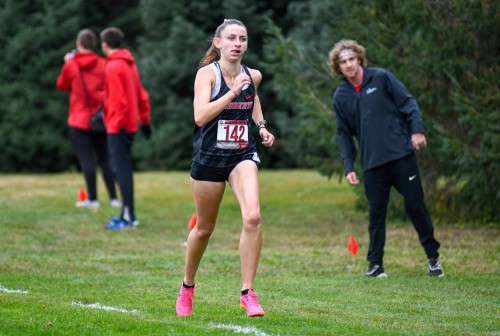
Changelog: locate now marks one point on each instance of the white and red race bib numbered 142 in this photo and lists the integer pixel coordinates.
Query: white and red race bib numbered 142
(232, 134)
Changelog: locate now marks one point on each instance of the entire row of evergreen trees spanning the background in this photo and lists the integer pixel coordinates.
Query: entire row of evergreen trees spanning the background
(443, 51)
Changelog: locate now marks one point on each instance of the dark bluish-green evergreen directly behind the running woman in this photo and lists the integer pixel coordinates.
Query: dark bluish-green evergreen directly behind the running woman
(177, 35)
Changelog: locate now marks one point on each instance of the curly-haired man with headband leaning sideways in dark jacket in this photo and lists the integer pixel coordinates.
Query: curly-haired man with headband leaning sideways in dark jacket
(372, 105)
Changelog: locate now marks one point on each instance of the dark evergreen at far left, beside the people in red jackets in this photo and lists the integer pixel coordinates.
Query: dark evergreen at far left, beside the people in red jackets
(35, 35)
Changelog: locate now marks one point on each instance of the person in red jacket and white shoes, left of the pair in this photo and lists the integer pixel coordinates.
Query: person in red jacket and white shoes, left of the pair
(83, 76)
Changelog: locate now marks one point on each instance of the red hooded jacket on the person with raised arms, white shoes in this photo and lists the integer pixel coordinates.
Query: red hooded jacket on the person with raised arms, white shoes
(90, 67)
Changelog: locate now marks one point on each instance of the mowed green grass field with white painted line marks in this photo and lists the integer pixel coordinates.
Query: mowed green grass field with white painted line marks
(61, 273)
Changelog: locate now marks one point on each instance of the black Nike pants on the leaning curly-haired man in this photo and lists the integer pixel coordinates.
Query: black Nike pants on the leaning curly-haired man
(404, 176)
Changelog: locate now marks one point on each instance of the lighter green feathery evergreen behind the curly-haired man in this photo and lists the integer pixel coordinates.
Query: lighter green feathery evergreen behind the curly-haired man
(442, 51)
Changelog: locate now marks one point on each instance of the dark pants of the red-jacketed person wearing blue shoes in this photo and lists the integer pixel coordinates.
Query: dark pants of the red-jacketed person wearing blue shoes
(120, 150)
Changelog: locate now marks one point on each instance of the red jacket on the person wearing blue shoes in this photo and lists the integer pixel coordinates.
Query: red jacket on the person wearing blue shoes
(126, 100)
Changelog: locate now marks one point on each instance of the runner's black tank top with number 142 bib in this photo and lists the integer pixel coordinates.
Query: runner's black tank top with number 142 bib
(210, 147)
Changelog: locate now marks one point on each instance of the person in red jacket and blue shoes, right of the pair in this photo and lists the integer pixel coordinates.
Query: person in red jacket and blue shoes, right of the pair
(126, 105)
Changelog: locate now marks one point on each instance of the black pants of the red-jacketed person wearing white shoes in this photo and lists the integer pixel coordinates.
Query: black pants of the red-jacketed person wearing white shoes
(85, 144)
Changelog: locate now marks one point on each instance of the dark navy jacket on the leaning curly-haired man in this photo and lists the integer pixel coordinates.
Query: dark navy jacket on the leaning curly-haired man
(382, 116)
